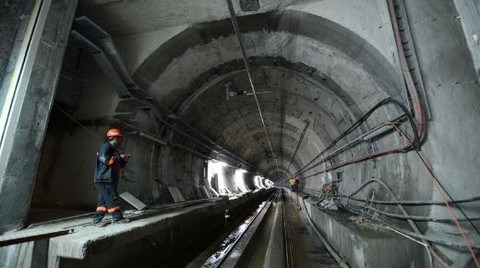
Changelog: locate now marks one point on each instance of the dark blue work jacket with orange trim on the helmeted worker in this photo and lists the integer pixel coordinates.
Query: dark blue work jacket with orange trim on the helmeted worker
(108, 164)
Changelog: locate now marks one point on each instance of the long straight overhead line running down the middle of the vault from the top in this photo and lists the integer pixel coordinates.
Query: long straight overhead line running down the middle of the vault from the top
(247, 68)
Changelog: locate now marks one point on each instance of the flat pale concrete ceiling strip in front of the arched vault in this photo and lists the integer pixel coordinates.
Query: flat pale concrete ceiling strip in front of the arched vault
(125, 17)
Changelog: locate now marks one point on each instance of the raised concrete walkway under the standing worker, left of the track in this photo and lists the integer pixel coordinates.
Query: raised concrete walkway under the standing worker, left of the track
(167, 230)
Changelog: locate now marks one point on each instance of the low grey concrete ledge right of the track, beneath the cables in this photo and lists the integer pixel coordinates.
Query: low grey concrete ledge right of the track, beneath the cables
(362, 246)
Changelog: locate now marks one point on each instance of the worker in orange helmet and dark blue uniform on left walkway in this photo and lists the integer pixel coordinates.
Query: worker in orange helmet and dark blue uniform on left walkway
(110, 159)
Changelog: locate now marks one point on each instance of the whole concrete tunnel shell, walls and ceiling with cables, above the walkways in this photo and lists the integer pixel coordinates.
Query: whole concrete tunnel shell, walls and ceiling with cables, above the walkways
(382, 105)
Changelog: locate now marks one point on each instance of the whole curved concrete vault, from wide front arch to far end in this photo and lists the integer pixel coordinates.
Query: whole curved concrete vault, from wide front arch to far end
(315, 70)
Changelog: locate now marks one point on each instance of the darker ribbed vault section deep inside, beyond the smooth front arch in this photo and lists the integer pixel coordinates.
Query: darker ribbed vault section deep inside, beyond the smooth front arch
(285, 91)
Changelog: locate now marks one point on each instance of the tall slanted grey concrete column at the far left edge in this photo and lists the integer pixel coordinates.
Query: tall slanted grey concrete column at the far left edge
(26, 108)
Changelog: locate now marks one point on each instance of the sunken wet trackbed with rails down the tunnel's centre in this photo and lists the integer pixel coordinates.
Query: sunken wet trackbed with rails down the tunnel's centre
(273, 236)
